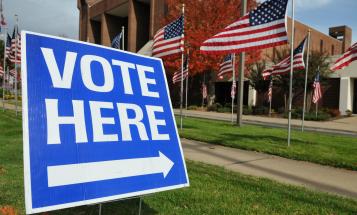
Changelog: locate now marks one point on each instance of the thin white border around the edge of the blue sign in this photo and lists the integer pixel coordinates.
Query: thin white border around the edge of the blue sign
(26, 146)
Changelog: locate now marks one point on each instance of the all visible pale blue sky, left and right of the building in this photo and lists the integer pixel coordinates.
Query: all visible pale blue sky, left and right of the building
(60, 17)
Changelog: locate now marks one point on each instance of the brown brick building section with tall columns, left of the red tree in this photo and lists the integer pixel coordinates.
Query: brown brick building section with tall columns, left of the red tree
(101, 20)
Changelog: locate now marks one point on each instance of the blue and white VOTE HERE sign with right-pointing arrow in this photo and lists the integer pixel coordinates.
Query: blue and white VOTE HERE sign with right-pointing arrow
(98, 125)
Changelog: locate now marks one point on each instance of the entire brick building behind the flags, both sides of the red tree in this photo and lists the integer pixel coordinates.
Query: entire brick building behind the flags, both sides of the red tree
(101, 20)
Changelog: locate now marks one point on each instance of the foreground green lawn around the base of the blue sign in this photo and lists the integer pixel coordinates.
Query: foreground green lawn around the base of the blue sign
(213, 190)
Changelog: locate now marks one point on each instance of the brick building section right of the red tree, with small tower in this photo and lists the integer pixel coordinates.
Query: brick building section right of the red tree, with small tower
(334, 44)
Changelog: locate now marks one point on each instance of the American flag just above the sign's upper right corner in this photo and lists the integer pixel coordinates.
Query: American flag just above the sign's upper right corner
(169, 39)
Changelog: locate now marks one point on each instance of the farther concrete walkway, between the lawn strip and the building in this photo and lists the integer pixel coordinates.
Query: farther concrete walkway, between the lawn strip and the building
(347, 126)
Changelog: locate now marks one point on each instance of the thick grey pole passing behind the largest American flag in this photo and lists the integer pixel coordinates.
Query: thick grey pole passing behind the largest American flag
(241, 75)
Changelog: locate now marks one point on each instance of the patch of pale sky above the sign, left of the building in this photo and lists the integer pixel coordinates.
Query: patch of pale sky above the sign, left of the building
(54, 17)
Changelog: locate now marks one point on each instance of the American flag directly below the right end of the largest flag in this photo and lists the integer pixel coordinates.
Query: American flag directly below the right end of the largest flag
(284, 66)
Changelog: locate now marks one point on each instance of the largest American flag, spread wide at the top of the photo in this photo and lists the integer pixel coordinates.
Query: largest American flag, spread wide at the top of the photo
(261, 28)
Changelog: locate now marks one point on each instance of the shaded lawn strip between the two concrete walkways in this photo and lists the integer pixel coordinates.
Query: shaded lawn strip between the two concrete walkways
(326, 149)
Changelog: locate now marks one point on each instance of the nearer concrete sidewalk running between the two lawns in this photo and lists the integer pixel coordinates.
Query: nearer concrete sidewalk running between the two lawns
(321, 178)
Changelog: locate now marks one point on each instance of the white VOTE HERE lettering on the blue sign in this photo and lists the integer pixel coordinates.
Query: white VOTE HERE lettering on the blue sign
(64, 81)
